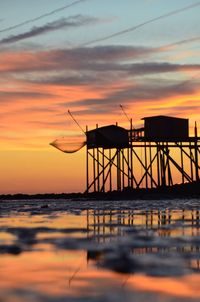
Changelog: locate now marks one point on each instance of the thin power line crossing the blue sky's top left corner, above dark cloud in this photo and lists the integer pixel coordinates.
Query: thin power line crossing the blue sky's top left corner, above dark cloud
(41, 16)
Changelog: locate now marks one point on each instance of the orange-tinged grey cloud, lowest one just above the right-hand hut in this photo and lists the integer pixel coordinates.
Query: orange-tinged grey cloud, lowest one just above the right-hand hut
(134, 95)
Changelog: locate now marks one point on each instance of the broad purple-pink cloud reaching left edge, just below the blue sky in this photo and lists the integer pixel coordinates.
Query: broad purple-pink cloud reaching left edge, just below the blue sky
(90, 58)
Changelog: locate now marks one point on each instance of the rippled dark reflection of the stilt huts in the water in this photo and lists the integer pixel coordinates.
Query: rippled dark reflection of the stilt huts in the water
(165, 234)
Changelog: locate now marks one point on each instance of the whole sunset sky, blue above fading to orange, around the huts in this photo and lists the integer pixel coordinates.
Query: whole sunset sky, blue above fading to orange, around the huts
(88, 56)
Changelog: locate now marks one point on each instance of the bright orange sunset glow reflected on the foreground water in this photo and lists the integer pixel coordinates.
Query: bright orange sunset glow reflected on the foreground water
(50, 271)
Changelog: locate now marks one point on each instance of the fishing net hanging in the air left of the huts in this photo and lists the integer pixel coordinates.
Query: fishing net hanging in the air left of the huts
(68, 144)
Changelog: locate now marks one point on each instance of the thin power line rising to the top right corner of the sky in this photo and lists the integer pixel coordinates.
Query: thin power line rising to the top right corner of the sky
(133, 28)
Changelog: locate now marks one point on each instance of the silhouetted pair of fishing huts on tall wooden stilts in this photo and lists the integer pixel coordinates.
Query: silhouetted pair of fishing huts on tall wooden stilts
(157, 155)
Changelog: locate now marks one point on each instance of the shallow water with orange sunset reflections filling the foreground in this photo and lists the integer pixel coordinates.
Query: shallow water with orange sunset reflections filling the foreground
(81, 250)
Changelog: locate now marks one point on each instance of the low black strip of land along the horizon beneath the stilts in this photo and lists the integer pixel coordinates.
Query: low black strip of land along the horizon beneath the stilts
(187, 190)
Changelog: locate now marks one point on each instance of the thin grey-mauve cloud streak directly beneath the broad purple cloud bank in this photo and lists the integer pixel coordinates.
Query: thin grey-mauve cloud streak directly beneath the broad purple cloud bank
(108, 75)
